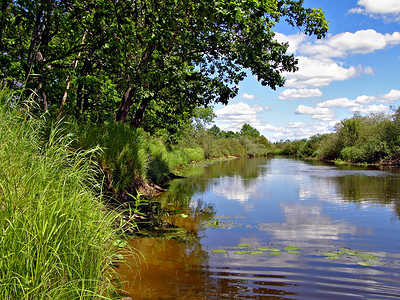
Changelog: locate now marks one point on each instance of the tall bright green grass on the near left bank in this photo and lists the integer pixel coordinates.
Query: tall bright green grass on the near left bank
(57, 240)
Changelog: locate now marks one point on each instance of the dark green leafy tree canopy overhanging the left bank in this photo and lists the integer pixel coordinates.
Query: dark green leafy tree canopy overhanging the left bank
(131, 58)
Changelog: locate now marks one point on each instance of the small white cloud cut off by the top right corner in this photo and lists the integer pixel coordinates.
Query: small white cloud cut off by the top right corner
(387, 9)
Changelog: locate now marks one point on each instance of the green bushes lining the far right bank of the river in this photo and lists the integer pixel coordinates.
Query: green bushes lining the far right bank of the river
(372, 139)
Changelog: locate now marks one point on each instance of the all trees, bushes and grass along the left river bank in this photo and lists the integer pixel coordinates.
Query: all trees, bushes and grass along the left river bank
(133, 84)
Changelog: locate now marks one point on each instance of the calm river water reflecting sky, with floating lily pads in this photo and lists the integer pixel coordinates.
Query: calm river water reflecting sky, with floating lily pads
(275, 229)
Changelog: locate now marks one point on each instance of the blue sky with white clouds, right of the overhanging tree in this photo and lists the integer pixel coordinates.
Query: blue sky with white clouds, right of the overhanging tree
(354, 69)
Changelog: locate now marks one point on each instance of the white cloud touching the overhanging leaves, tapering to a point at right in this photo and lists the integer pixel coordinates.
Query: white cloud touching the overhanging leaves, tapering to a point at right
(320, 72)
